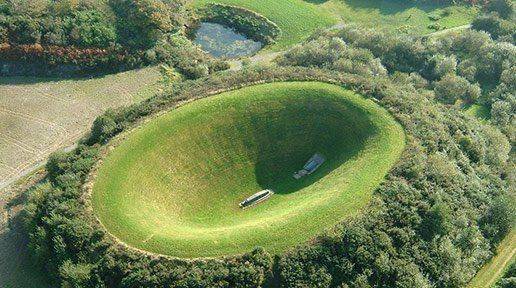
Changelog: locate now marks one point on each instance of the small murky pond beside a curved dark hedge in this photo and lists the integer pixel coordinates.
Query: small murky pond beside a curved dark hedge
(223, 42)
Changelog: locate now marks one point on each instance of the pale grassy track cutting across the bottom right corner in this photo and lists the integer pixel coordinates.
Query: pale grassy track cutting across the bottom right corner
(494, 269)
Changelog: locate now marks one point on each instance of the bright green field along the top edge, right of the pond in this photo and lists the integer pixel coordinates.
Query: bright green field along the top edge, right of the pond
(298, 19)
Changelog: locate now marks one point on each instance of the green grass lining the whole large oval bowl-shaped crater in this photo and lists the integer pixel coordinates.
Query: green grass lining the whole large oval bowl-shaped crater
(173, 185)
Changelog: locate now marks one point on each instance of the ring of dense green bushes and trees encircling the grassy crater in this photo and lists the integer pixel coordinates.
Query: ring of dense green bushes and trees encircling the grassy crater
(433, 223)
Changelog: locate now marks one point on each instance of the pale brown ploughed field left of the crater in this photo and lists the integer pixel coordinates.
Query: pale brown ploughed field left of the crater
(38, 116)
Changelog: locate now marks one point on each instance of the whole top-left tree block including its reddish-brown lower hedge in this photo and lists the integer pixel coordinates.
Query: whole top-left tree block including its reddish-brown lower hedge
(66, 37)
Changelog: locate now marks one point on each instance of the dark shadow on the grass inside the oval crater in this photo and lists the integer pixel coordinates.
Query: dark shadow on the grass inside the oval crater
(318, 127)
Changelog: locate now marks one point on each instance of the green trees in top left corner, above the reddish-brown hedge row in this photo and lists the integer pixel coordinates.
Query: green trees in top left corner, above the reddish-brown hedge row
(133, 24)
